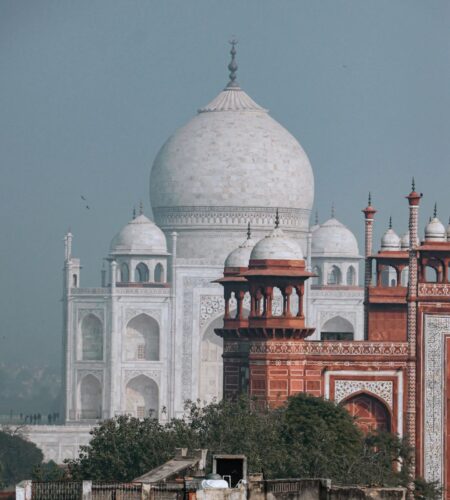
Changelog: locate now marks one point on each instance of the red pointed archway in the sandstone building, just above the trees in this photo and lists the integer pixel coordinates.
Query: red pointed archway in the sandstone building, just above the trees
(371, 414)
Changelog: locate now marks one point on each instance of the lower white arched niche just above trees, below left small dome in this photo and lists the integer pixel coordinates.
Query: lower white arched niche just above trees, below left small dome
(142, 397)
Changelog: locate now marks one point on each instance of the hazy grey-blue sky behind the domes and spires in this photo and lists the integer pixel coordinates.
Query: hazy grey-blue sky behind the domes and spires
(90, 90)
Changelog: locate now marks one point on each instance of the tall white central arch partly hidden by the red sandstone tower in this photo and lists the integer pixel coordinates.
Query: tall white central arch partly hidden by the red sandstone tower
(211, 363)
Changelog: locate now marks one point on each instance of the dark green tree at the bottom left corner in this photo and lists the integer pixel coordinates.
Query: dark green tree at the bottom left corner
(18, 458)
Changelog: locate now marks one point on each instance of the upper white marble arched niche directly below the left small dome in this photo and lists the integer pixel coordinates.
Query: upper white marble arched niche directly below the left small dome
(142, 339)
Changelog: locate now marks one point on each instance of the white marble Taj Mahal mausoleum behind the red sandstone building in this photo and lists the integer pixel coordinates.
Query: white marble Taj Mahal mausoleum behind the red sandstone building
(144, 341)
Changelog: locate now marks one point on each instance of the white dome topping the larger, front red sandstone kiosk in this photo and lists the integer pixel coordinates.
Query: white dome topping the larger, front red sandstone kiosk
(276, 246)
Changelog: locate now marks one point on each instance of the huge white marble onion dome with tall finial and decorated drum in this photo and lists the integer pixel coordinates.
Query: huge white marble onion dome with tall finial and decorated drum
(229, 165)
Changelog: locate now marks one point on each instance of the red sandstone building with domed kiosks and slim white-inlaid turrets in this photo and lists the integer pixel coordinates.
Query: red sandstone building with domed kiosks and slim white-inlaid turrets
(396, 379)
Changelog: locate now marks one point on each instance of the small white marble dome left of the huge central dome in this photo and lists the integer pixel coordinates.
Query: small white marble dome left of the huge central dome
(140, 236)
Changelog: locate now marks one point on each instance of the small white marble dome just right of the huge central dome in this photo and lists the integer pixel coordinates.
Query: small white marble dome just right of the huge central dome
(333, 239)
